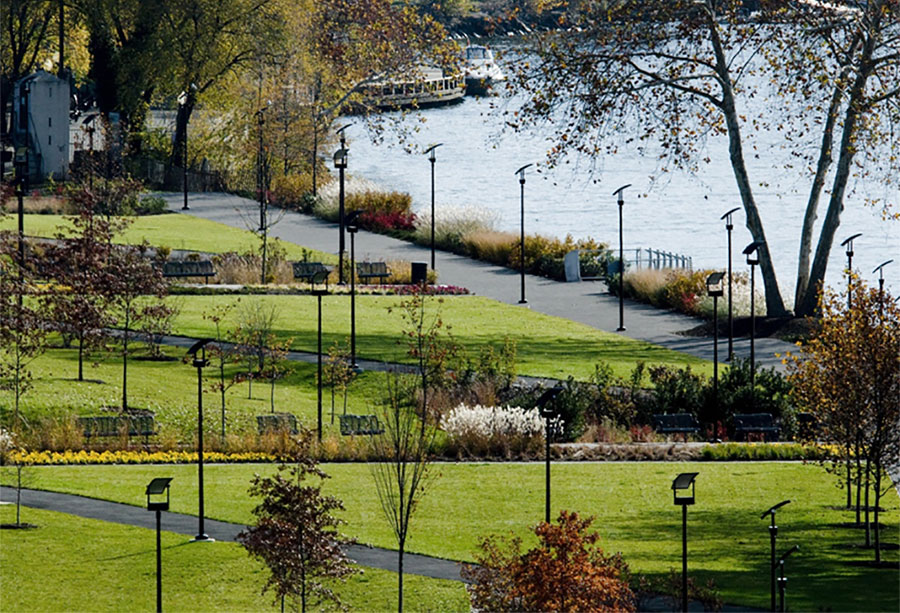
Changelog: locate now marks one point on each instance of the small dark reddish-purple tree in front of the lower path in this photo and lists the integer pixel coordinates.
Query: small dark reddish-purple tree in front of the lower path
(296, 532)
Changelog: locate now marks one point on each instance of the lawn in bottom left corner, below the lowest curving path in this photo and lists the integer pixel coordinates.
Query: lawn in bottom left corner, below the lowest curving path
(75, 564)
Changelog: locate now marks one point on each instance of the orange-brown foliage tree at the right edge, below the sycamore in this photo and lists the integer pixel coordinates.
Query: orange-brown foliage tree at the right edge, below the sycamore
(848, 375)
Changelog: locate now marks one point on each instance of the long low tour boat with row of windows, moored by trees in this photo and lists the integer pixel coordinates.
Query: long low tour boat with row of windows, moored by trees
(425, 87)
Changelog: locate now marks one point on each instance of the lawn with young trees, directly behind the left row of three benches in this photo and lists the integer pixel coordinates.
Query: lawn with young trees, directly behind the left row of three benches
(170, 389)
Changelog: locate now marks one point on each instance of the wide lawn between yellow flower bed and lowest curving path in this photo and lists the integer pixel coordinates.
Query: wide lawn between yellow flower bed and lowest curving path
(631, 501)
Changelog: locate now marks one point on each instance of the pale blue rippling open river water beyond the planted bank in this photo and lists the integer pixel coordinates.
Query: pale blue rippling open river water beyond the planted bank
(678, 213)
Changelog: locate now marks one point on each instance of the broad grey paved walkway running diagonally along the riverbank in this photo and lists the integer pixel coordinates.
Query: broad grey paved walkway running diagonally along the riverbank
(585, 302)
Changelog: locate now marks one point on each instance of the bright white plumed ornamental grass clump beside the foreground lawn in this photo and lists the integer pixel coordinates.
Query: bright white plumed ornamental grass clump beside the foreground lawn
(480, 431)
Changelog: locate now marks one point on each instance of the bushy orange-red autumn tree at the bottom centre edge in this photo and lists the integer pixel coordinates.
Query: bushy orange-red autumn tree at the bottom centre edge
(566, 571)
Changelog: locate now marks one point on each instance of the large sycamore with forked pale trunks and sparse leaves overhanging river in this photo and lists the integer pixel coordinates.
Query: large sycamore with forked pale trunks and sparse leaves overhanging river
(632, 73)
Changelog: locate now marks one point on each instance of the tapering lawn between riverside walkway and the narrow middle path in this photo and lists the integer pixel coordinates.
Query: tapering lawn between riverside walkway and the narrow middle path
(547, 346)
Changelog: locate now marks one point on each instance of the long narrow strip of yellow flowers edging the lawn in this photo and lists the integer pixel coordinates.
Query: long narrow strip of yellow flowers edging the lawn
(133, 457)
